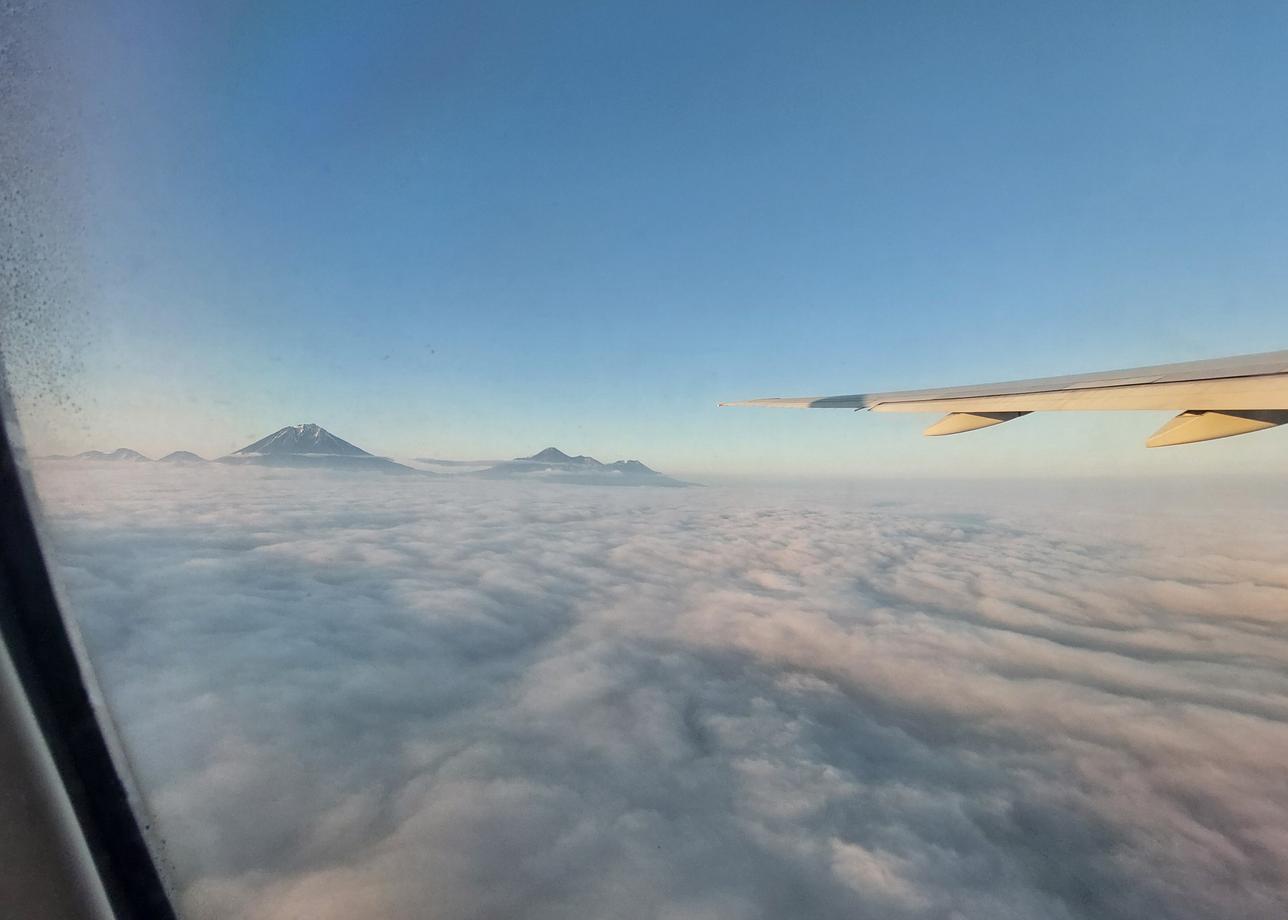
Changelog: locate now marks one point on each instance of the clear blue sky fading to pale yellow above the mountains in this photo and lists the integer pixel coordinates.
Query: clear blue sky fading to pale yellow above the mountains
(476, 230)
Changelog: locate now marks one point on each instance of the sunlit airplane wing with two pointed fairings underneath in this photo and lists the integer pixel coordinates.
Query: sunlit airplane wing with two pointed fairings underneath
(1218, 399)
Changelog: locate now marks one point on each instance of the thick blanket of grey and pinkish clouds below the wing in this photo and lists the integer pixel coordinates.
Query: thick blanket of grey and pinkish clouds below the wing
(351, 696)
